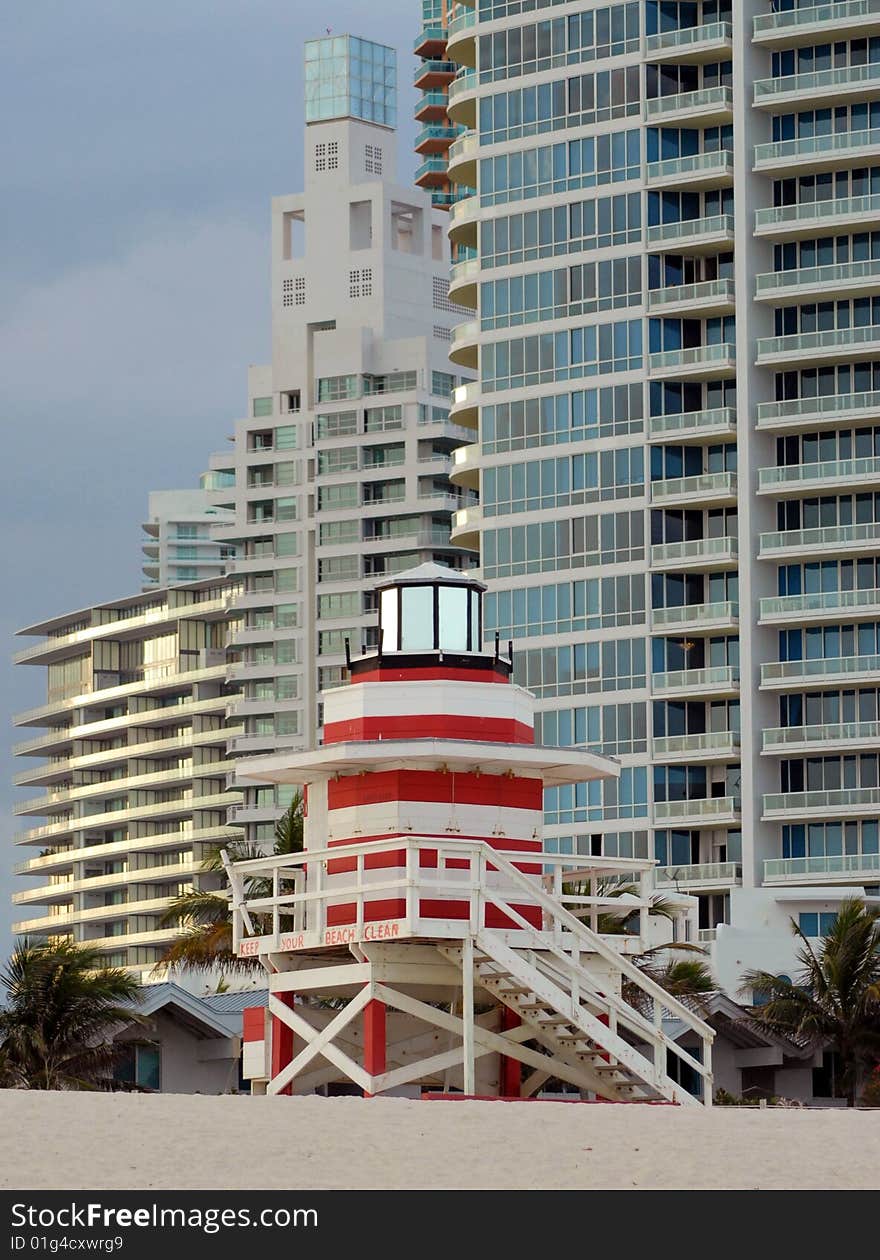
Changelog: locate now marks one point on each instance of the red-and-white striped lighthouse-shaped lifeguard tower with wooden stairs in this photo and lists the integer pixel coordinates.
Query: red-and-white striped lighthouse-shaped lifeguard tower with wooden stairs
(424, 939)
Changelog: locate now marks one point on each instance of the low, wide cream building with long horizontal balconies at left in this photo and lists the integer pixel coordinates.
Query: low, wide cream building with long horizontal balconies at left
(133, 767)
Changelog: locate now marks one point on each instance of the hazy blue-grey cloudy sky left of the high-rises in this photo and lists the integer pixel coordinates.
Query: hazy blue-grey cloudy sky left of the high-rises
(142, 148)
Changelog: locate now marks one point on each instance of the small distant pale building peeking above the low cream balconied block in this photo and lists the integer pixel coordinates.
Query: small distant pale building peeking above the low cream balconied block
(180, 545)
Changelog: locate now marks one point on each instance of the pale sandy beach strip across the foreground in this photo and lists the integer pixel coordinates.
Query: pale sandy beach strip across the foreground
(181, 1142)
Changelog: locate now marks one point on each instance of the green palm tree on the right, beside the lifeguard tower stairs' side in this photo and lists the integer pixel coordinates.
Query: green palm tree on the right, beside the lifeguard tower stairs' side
(835, 1004)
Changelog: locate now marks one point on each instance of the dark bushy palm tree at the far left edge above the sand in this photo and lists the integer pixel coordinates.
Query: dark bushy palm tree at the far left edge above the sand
(62, 1004)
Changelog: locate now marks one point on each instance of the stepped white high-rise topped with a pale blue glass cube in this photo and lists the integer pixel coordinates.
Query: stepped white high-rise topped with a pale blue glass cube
(340, 474)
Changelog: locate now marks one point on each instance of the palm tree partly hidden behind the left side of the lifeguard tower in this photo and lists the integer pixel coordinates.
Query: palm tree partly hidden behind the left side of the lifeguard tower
(207, 942)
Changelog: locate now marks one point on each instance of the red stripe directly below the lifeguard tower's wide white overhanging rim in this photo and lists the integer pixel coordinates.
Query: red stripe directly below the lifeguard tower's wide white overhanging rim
(432, 786)
